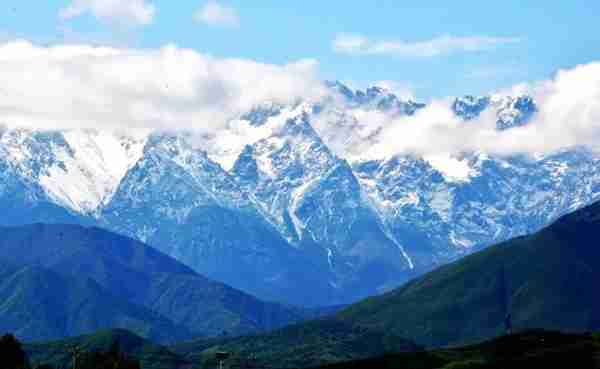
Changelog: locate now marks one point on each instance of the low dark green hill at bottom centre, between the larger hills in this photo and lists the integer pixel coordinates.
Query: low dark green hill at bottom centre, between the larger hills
(302, 345)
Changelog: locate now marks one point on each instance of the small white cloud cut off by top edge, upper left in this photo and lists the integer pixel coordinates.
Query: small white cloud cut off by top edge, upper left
(126, 12)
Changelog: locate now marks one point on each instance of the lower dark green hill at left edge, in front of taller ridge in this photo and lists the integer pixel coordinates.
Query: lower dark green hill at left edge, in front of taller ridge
(36, 303)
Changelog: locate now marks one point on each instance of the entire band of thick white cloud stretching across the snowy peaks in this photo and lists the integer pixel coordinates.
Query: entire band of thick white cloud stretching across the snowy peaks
(80, 86)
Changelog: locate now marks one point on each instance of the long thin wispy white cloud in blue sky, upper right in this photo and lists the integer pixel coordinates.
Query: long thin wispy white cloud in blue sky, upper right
(361, 45)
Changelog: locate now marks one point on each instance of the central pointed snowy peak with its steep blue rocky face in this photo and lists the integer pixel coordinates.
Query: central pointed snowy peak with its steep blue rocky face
(318, 205)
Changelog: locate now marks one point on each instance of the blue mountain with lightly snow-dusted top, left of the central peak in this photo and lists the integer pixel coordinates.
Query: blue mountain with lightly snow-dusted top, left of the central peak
(186, 205)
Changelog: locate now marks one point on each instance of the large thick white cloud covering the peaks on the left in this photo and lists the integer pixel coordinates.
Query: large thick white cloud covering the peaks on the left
(80, 86)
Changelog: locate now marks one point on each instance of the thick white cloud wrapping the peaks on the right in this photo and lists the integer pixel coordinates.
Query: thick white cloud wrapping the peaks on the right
(568, 117)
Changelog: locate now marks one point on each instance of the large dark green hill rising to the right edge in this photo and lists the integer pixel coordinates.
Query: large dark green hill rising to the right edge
(546, 280)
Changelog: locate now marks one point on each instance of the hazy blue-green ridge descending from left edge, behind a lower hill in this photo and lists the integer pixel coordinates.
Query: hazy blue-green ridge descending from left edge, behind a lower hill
(139, 275)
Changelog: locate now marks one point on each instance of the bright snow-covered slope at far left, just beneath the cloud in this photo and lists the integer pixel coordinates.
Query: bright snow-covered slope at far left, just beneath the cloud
(79, 170)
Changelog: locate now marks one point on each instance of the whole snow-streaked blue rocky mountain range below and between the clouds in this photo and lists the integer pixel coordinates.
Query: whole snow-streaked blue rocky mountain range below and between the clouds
(283, 215)
